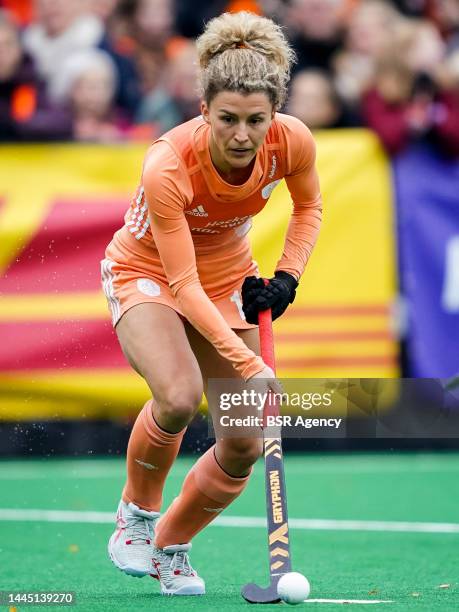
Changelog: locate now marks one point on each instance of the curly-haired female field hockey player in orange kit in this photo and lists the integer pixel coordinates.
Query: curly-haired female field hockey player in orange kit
(173, 277)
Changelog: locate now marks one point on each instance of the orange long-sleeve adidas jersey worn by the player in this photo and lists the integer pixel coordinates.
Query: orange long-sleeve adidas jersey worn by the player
(185, 212)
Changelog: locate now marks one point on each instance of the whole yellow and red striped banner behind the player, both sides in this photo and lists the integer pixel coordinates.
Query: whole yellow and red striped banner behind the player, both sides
(60, 205)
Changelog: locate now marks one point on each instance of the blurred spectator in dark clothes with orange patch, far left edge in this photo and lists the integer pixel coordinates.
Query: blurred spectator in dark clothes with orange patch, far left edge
(25, 111)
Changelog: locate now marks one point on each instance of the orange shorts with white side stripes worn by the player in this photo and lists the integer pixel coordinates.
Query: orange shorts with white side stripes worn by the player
(131, 275)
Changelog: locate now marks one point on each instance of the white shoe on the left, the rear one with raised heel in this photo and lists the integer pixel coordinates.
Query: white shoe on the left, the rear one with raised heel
(131, 545)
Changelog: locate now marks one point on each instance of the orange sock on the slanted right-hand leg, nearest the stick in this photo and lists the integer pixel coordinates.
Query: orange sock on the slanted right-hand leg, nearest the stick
(206, 491)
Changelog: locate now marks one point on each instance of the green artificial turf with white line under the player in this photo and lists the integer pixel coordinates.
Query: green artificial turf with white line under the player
(405, 567)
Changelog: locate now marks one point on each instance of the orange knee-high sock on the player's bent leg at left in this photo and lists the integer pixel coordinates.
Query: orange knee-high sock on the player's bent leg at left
(150, 455)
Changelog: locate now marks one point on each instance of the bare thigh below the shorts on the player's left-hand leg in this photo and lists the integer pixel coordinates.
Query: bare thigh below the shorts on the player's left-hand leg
(153, 339)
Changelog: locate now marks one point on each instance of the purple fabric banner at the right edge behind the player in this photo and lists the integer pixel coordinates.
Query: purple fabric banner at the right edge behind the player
(427, 195)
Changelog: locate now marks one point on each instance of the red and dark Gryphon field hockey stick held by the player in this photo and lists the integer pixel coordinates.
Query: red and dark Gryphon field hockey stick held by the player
(276, 499)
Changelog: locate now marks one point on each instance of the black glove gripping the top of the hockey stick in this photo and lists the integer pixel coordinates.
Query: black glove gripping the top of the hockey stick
(257, 296)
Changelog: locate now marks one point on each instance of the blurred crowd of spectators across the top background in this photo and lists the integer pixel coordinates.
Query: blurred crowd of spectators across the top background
(114, 70)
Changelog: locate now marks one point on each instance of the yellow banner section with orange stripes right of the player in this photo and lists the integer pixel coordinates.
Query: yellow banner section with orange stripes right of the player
(340, 324)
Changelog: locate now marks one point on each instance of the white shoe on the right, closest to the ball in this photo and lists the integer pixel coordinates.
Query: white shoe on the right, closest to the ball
(174, 571)
